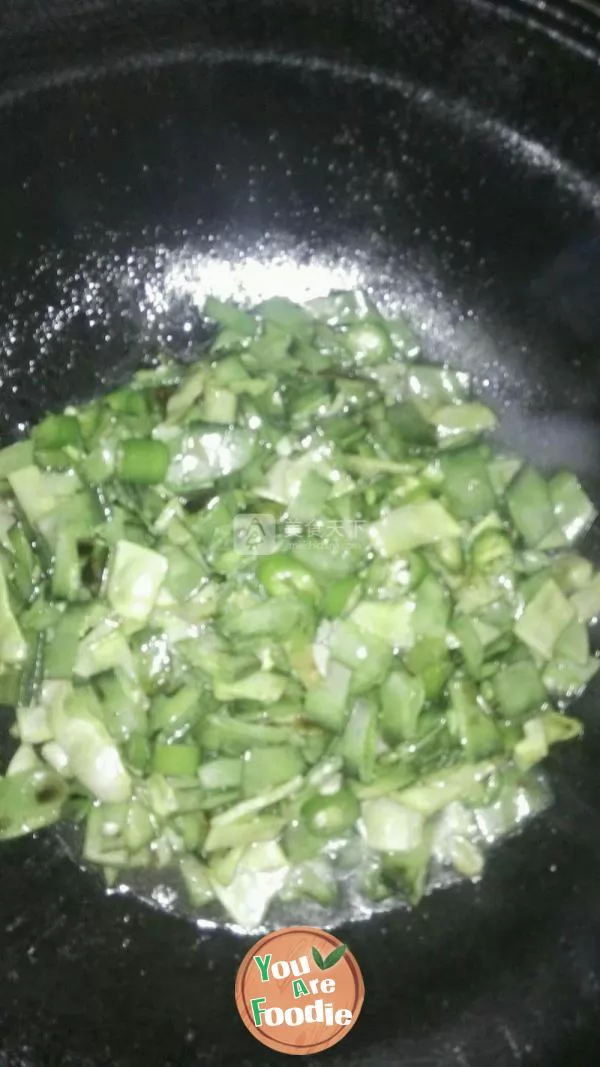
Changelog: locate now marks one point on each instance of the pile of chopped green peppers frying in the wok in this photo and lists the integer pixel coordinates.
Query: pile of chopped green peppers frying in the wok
(370, 670)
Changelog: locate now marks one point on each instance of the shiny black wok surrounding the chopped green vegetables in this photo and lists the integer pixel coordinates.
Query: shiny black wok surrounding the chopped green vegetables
(447, 155)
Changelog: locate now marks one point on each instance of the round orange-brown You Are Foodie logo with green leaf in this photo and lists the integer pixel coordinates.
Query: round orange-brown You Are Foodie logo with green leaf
(299, 991)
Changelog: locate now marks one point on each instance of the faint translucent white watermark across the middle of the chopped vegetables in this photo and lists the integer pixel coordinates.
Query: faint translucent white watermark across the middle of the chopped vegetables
(261, 535)
